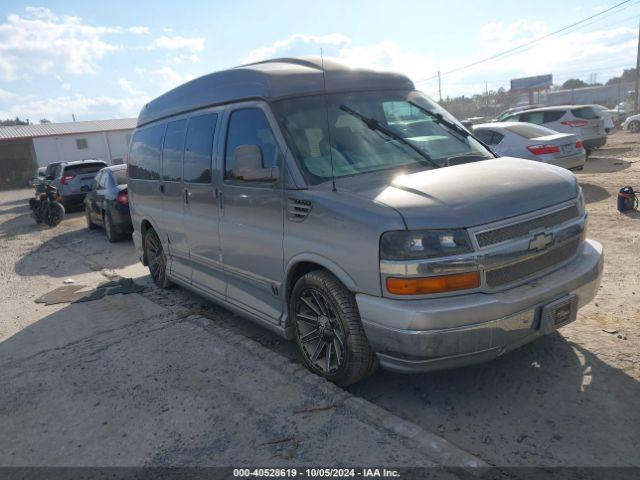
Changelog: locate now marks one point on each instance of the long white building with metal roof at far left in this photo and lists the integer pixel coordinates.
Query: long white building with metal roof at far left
(24, 148)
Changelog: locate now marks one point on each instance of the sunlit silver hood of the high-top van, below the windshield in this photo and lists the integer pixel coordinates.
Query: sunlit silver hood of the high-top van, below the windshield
(474, 193)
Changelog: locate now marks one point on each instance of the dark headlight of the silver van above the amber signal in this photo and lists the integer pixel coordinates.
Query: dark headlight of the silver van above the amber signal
(417, 244)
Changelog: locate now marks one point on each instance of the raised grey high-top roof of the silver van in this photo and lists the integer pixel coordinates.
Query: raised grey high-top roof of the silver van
(269, 80)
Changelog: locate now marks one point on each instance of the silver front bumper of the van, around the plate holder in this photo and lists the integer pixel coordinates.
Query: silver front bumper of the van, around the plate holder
(423, 335)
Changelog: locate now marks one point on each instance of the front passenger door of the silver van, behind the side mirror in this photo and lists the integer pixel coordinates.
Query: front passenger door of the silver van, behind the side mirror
(252, 218)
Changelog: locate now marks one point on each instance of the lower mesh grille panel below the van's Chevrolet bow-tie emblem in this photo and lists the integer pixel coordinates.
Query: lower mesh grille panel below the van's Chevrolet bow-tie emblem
(511, 273)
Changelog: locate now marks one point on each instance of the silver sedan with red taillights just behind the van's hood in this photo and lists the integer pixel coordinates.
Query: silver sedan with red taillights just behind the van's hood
(526, 140)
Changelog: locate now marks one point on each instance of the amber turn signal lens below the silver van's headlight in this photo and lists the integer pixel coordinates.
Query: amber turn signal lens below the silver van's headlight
(439, 284)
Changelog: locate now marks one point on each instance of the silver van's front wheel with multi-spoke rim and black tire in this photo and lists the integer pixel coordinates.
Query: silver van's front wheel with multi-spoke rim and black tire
(328, 330)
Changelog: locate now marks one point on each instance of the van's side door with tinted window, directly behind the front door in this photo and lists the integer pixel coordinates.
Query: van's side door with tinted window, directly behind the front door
(201, 206)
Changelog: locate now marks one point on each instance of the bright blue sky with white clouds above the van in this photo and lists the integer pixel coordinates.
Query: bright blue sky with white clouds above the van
(105, 59)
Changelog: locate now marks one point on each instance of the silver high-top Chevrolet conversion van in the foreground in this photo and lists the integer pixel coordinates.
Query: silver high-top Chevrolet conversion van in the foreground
(348, 211)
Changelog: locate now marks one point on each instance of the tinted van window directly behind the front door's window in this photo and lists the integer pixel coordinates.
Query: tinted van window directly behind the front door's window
(198, 147)
